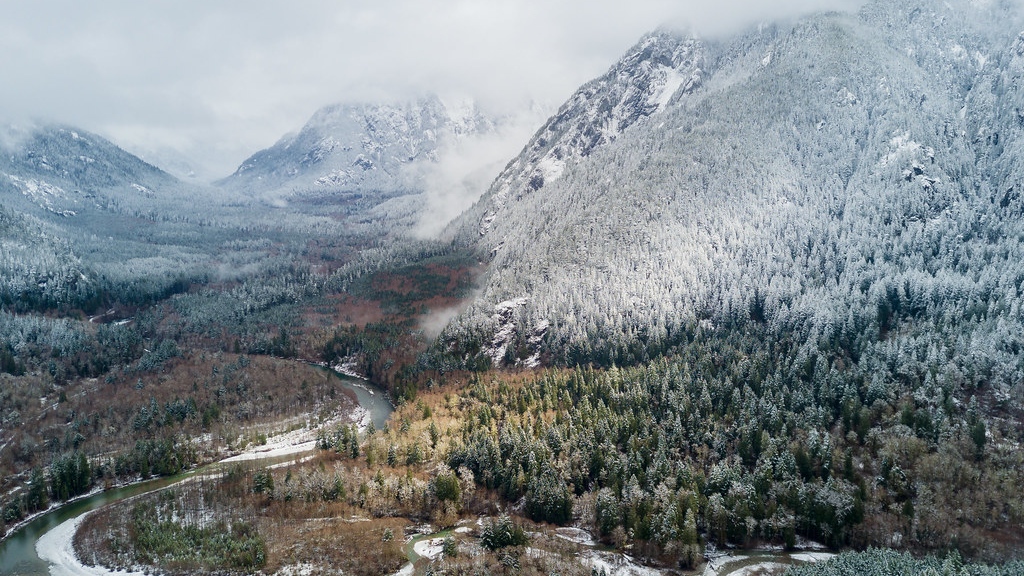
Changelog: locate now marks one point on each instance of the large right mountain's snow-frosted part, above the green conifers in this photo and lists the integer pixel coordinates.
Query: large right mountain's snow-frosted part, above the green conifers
(849, 182)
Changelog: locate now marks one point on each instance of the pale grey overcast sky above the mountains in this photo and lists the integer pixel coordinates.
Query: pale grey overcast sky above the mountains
(218, 80)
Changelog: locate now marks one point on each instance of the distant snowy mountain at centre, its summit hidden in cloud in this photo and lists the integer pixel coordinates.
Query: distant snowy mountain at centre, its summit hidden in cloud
(362, 155)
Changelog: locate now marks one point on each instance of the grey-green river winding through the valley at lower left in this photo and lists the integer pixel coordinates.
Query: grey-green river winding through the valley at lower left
(18, 553)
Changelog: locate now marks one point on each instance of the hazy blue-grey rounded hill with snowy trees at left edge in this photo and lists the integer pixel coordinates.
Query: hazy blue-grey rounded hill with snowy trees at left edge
(81, 218)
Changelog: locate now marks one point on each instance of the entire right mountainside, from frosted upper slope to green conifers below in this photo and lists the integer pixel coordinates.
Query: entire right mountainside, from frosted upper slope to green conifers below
(813, 256)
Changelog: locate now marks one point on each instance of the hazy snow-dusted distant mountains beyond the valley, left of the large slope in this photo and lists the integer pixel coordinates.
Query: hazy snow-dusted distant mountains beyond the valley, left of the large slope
(356, 174)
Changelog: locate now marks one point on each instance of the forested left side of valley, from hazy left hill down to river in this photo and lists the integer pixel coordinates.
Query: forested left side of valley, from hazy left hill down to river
(122, 287)
